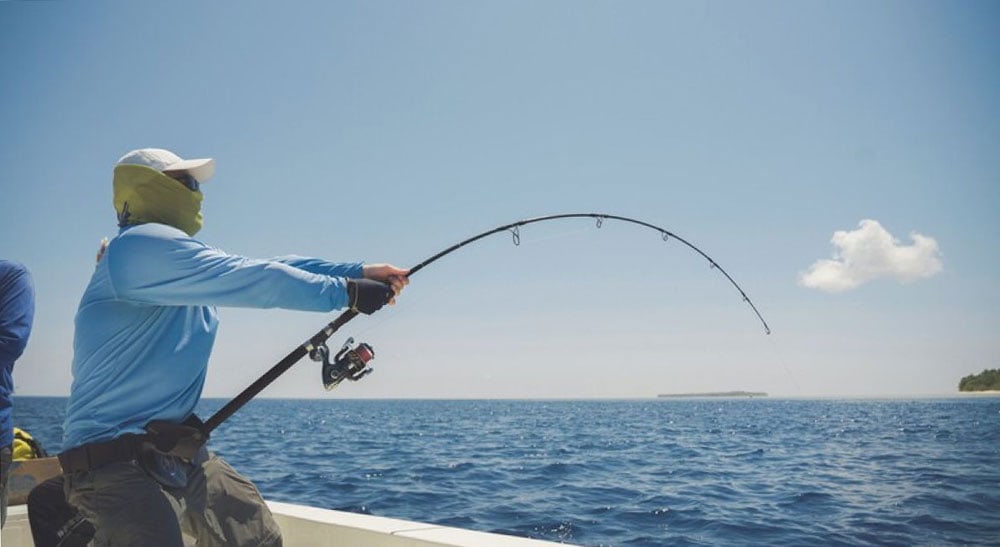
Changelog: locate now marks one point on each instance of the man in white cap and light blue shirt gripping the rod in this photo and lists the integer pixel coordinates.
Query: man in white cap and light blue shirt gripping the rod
(135, 464)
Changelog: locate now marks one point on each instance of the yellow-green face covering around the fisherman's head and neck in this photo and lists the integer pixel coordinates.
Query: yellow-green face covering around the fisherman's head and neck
(143, 194)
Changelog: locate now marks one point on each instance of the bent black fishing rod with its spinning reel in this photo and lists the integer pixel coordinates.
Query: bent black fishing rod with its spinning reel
(351, 361)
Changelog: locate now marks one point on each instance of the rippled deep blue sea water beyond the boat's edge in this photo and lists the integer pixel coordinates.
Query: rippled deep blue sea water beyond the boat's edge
(631, 472)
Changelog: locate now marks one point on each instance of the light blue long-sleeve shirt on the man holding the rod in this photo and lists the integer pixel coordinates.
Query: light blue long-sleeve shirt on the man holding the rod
(147, 321)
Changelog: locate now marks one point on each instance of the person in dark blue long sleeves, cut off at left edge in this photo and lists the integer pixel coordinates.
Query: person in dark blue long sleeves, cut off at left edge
(17, 311)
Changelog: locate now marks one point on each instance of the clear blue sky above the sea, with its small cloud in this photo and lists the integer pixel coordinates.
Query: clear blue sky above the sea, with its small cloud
(840, 160)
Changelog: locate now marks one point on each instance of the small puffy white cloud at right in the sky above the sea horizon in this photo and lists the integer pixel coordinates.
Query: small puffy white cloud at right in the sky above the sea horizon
(870, 253)
